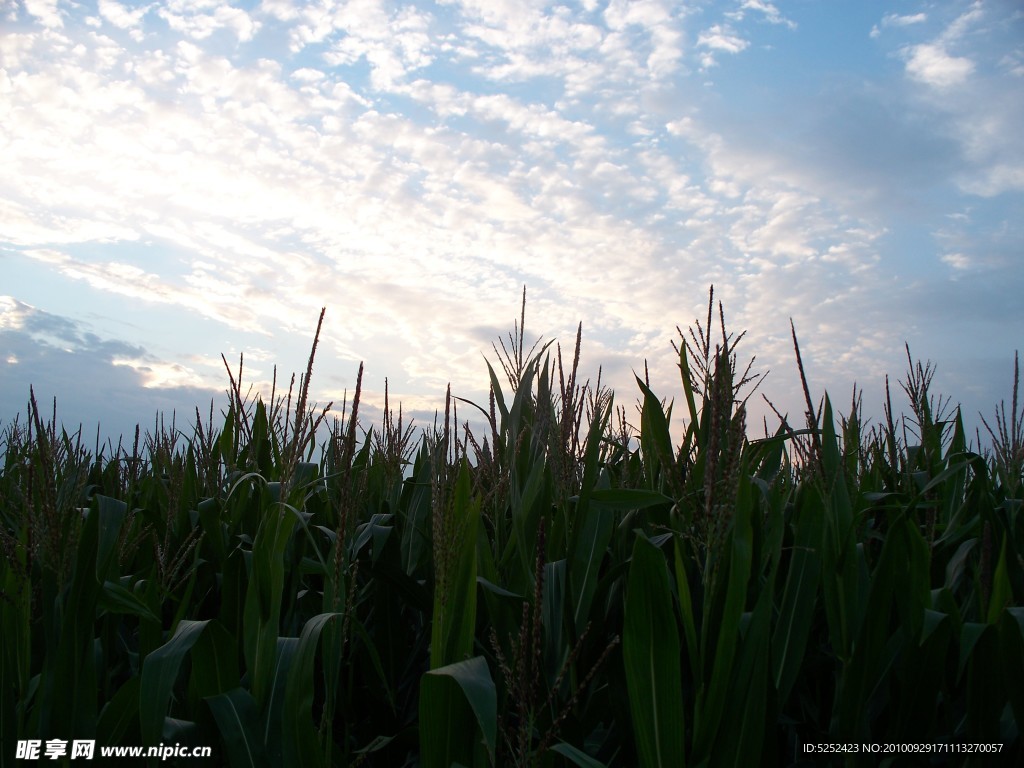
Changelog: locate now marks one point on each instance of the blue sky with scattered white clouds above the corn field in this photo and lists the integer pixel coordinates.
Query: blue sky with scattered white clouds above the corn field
(186, 180)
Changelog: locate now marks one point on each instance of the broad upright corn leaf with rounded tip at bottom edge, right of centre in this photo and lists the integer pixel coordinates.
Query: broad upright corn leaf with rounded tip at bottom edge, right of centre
(651, 654)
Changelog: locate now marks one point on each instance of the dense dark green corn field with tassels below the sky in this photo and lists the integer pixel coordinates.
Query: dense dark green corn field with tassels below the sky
(565, 590)
